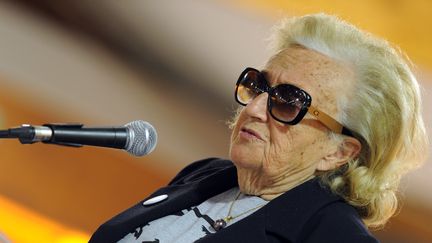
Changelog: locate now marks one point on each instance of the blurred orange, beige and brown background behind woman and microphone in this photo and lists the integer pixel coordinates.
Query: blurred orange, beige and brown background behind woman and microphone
(171, 63)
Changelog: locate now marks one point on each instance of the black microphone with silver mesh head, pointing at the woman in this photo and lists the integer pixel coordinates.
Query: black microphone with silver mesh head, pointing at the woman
(137, 137)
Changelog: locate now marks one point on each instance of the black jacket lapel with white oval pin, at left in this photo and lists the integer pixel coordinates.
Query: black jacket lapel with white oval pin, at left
(180, 197)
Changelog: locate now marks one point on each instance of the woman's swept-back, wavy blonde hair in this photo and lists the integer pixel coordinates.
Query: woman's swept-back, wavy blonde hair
(384, 111)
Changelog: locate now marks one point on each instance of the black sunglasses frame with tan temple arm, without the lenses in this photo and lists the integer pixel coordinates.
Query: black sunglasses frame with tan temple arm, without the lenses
(306, 107)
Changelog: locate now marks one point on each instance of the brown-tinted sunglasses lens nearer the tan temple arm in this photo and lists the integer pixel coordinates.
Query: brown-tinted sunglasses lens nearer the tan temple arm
(286, 102)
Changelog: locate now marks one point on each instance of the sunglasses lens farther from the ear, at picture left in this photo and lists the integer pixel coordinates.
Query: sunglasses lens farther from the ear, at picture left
(249, 86)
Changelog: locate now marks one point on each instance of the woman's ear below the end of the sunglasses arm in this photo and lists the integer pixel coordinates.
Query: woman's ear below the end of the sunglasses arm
(348, 149)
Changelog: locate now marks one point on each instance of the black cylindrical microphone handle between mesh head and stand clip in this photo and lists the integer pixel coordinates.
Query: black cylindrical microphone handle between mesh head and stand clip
(76, 135)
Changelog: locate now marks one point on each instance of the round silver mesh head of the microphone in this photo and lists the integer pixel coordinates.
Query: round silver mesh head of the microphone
(142, 138)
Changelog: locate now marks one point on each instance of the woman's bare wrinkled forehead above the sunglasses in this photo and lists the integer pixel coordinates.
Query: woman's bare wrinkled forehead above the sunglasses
(312, 71)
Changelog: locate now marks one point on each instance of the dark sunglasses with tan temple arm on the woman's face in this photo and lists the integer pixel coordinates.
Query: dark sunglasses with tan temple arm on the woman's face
(286, 103)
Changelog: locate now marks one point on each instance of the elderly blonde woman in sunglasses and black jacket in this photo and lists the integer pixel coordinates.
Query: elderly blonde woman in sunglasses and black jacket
(326, 130)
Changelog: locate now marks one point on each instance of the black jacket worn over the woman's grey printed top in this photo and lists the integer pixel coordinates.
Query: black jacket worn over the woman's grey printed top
(306, 213)
